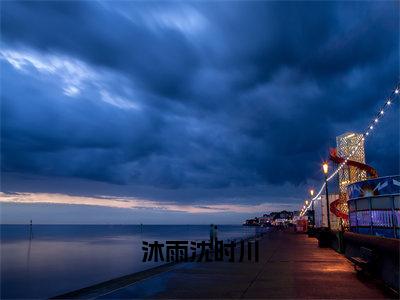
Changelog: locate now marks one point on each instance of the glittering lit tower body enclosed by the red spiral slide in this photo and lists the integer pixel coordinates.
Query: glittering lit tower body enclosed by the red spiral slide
(346, 143)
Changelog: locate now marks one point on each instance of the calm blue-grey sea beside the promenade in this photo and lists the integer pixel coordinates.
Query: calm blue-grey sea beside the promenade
(61, 258)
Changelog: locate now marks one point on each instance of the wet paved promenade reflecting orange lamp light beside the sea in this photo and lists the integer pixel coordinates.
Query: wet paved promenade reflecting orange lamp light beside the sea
(291, 266)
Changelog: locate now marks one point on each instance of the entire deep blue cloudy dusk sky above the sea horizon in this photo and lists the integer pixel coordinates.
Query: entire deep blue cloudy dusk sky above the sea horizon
(186, 112)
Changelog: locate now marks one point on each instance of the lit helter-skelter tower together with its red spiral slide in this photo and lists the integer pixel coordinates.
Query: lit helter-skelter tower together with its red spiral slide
(355, 169)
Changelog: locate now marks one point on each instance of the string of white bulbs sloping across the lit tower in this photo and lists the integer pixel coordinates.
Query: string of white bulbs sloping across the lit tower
(367, 132)
